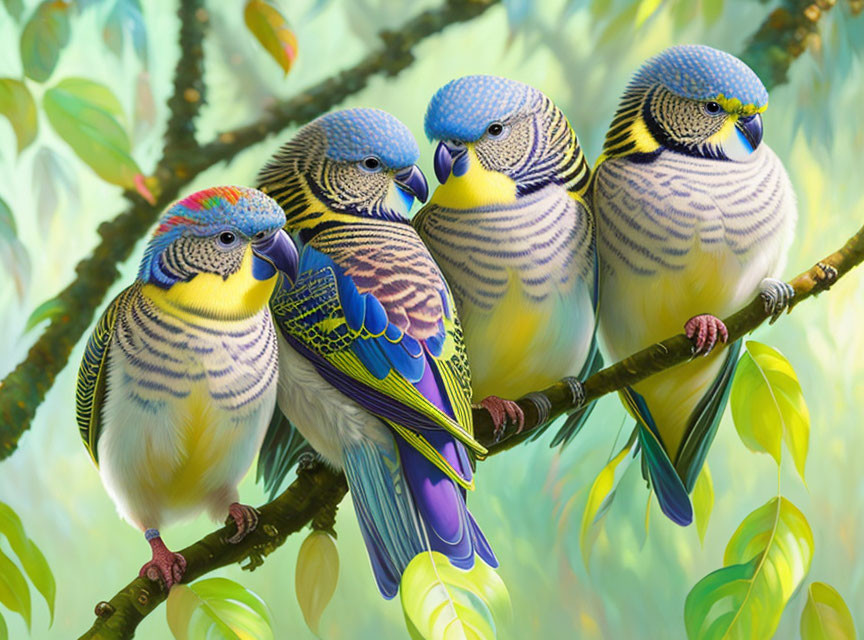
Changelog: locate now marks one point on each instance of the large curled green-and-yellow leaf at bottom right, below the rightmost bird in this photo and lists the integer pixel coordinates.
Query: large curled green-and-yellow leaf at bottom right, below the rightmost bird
(765, 561)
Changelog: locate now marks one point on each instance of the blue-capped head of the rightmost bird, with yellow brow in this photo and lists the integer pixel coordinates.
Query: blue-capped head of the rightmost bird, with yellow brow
(692, 99)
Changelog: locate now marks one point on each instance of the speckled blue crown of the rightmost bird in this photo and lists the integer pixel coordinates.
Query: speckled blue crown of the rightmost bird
(702, 73)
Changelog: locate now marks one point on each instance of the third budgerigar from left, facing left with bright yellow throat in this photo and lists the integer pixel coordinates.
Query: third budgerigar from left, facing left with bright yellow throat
(515, 239)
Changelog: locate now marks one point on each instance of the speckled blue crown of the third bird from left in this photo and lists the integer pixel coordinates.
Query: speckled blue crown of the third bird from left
(463, 108)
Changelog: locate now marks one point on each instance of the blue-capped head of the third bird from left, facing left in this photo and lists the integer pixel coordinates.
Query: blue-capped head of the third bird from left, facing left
(504, 137)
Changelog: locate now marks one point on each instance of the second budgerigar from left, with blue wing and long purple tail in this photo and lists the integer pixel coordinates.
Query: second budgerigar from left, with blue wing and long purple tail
(372, 366)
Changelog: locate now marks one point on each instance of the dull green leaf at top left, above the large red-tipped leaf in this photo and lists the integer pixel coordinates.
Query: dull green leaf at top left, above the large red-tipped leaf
(43, 38)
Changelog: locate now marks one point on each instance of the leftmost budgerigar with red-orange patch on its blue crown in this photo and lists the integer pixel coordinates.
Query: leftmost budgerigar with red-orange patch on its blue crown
(178, 380)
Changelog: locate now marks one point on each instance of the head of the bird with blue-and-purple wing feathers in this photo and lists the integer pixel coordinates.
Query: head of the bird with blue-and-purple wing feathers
(359, 162)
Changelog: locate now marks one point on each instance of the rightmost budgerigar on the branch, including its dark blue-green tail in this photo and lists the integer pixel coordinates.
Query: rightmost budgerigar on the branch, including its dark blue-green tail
(695, 217)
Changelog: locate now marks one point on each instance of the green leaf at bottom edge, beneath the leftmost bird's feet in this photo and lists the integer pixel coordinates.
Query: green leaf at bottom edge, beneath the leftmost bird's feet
(217, 608)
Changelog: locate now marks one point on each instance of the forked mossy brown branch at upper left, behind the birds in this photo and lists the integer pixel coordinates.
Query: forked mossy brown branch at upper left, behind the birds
(24, 389)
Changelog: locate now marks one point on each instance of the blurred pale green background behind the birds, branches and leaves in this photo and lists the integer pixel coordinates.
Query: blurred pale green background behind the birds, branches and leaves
(529, 501)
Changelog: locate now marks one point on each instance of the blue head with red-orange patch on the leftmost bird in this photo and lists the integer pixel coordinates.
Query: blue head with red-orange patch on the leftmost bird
(211, 232)
